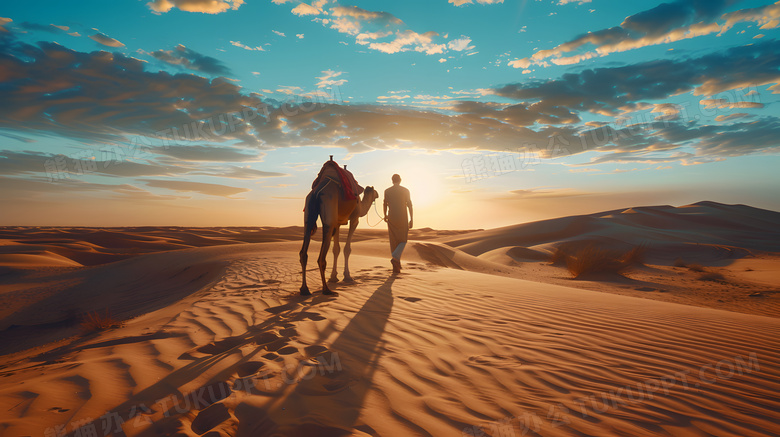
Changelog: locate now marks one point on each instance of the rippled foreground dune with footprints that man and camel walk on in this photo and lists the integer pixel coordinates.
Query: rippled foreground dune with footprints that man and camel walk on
(431, 352)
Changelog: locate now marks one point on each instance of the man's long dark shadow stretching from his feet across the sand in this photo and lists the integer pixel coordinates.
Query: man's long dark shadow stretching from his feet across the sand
(328, 401)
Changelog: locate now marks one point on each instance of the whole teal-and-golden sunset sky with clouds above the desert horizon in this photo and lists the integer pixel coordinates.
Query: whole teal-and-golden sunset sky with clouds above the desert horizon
(494, 112)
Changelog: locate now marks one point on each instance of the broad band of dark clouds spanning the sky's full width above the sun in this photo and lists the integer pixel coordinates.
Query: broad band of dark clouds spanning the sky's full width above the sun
(109, 98)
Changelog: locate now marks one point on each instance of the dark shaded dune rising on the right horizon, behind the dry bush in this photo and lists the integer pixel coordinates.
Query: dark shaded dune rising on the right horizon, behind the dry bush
(705, 231)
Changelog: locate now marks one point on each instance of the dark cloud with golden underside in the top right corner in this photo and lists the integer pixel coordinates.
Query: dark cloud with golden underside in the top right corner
(663, 24)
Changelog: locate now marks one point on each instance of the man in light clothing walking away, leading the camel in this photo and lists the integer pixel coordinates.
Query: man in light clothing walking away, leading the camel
(397, 200)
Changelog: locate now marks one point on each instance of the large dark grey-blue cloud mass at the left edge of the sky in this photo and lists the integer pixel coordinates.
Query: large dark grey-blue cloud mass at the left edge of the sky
(107, 98)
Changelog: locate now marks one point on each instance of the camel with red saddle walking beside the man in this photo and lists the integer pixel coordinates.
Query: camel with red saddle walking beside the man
(327, 202)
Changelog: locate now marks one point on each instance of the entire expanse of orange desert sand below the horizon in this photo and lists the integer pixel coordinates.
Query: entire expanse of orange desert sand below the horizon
(479, 335)
